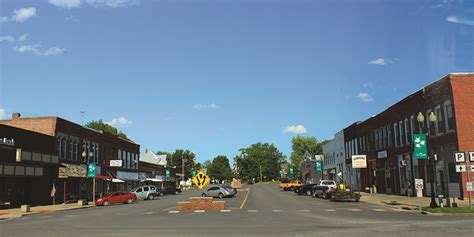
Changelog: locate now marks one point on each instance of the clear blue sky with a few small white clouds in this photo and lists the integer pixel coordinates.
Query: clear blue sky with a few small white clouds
(214, 76)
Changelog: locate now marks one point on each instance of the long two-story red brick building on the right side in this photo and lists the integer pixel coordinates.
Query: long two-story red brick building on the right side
(387, 139)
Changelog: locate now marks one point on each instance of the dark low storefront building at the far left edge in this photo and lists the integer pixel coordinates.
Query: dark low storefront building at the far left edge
(28, 167)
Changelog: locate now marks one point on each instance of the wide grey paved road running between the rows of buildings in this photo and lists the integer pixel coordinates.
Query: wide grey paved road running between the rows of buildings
(266, 212)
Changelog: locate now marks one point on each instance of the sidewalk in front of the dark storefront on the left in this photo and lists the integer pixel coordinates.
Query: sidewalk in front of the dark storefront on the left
(16, 212)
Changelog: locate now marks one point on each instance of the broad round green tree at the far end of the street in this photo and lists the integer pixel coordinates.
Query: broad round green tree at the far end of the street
(258, 157)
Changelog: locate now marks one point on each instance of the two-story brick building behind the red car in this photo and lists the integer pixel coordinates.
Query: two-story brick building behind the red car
(76, 145)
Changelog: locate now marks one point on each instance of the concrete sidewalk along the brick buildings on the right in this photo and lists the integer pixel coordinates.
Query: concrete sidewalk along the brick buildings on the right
(404, 202)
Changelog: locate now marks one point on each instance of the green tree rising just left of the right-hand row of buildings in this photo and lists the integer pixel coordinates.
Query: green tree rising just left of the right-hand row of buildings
(301, 145)
